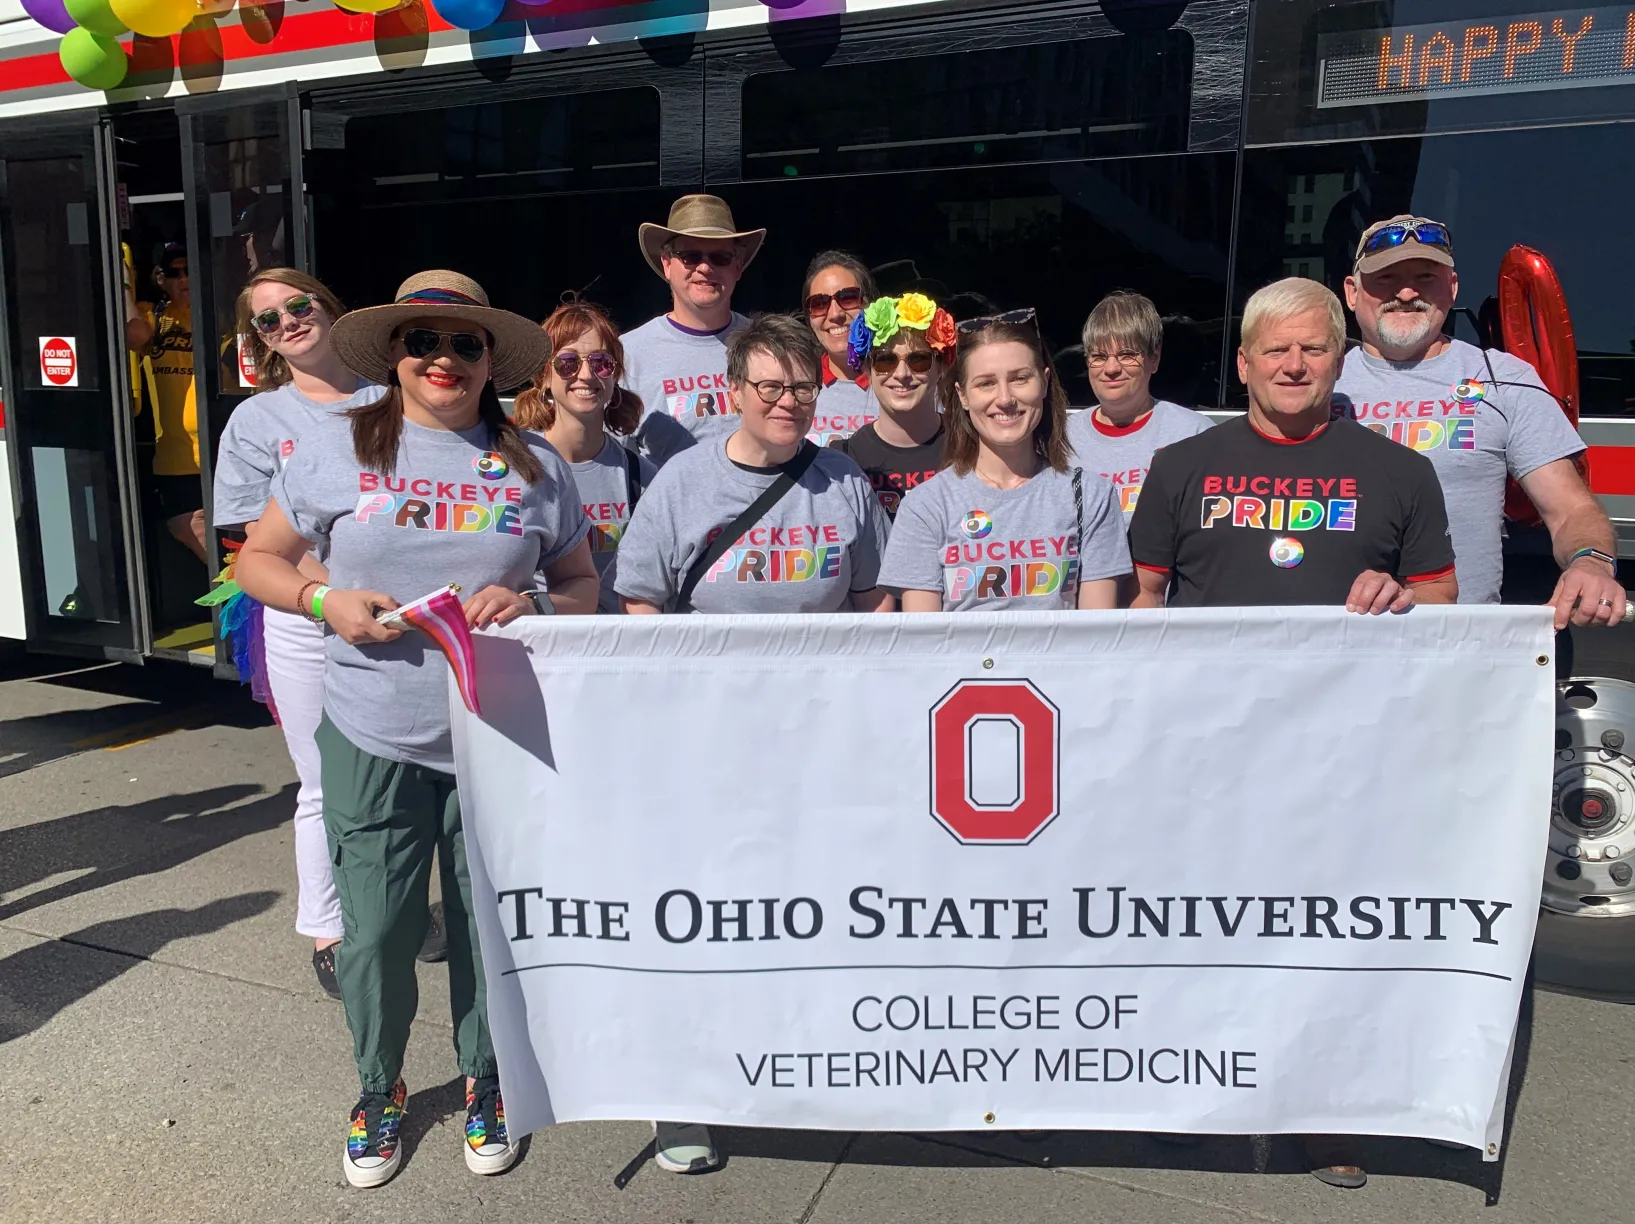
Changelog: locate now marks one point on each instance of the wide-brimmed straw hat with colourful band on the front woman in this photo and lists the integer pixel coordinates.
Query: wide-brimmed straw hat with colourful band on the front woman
(364, 337)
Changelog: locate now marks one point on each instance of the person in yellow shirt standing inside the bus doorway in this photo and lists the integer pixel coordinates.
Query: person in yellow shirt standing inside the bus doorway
(168, 344)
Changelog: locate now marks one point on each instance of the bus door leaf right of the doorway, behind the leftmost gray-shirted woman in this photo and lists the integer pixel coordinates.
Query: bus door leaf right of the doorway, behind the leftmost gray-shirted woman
(241, 156)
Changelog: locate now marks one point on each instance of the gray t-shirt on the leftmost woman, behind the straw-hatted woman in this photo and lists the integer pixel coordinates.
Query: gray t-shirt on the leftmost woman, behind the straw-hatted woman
(261, 439)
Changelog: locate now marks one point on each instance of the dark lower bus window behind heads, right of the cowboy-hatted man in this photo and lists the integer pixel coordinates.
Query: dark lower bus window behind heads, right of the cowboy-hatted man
(1054, 236)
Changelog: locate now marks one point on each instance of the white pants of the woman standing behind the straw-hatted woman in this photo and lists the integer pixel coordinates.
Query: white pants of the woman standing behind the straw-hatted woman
(295, 671)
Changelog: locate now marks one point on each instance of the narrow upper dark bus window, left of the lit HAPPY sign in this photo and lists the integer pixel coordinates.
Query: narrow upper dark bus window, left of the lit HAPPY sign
(1049, 102)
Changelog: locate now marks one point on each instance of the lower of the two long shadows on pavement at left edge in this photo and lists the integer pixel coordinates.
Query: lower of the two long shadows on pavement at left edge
(48, 978)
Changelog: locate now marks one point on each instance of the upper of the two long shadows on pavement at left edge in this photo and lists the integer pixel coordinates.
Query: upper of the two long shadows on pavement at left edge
(114, 844)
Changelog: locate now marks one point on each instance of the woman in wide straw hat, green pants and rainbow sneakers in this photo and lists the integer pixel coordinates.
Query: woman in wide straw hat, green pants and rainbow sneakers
(436, 486)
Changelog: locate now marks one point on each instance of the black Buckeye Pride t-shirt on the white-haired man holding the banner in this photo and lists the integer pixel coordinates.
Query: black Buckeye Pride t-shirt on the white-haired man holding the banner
(1239, 519)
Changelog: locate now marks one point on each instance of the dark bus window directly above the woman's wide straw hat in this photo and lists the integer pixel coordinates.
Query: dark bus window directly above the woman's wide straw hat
(534, 199)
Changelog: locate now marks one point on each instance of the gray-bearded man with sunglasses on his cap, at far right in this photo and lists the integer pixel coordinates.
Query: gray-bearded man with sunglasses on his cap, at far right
(1477, 416)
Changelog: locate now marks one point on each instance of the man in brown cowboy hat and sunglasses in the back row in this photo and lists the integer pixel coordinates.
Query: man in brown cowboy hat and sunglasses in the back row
(678, 362)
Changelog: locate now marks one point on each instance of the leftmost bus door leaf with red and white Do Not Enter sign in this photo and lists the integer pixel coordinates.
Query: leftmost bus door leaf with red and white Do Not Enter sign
(65, 375)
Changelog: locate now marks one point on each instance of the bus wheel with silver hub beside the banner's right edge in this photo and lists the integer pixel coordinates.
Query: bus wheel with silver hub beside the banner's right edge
(1587, 927)
